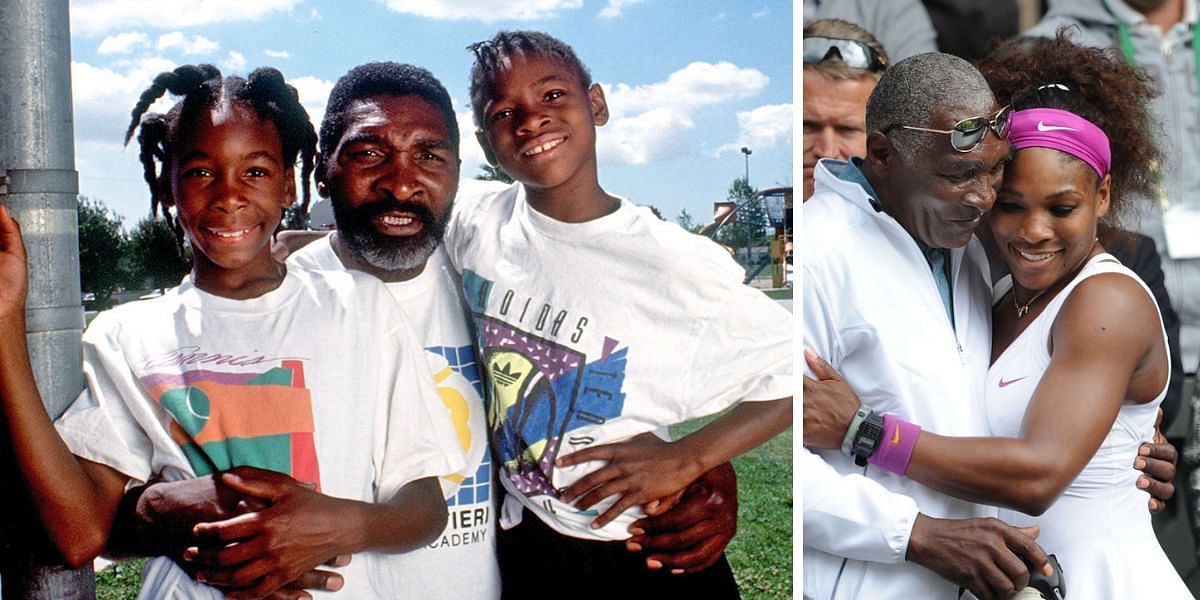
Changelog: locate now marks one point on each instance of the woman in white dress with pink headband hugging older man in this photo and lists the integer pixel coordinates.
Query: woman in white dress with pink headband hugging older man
(1079, 357)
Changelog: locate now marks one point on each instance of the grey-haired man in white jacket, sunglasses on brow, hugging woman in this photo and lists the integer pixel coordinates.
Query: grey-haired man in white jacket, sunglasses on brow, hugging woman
(897, 299)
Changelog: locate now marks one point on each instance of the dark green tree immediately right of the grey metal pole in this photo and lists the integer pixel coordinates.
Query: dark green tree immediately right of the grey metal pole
(101, 248)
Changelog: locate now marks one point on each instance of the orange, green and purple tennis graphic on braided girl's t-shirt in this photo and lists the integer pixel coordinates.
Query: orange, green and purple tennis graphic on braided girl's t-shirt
(259, 418)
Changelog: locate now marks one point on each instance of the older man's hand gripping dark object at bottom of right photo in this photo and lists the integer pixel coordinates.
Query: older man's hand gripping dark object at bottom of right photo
(991, 559)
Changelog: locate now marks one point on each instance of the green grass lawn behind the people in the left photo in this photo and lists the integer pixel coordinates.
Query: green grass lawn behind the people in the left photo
(761, 554)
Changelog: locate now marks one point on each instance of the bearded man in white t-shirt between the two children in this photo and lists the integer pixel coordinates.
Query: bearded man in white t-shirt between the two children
(389, 167)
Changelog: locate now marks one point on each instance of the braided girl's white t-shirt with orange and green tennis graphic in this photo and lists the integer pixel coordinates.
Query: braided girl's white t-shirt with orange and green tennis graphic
(320, 380)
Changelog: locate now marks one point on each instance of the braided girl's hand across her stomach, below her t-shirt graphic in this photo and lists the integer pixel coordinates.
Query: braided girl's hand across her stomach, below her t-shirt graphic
(261, 551)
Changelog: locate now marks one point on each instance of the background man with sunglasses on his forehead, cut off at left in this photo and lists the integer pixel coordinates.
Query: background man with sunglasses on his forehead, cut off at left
(842, 65)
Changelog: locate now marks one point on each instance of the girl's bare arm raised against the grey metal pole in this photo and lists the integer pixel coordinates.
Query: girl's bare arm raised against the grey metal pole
(75, 499)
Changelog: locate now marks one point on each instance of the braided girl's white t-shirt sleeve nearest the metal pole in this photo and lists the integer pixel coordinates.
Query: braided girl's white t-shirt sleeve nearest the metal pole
(103, 425)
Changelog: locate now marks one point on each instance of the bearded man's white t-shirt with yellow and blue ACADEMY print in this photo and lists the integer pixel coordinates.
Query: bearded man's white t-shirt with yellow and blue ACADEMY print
(461, 563)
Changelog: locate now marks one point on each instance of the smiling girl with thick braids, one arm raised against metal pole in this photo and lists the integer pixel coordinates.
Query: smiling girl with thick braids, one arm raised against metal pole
(313, 376)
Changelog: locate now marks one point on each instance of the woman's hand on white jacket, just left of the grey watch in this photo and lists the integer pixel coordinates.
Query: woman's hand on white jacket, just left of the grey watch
(830, 405)
